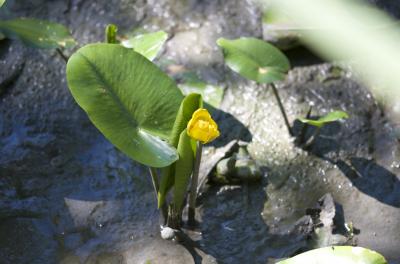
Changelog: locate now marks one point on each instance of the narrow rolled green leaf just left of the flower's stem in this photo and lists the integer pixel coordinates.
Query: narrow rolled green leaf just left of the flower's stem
(183, 169)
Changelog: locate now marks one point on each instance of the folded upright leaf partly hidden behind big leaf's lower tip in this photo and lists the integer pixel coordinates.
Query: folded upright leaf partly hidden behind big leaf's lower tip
(190, 104)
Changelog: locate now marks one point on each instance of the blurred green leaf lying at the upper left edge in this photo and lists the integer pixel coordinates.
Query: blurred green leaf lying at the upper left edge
(37, 33)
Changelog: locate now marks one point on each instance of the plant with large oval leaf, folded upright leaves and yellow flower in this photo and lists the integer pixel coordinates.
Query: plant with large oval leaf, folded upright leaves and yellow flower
(142, 112)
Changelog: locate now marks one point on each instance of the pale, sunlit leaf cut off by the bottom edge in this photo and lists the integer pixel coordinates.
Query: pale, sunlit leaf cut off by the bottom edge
(339, 254)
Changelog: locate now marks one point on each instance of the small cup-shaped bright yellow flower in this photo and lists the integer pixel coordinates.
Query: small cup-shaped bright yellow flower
(202, 127)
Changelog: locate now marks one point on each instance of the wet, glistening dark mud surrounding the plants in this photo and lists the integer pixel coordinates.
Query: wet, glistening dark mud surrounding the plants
(68, 196)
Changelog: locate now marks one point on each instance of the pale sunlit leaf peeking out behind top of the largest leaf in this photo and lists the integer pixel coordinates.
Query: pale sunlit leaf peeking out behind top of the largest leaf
(149, 45)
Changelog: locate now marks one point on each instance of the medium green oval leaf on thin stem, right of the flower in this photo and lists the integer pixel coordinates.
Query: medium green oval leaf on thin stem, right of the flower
(255, 59)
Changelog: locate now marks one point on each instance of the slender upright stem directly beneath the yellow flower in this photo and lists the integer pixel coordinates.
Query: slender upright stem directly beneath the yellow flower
(193, 186)
